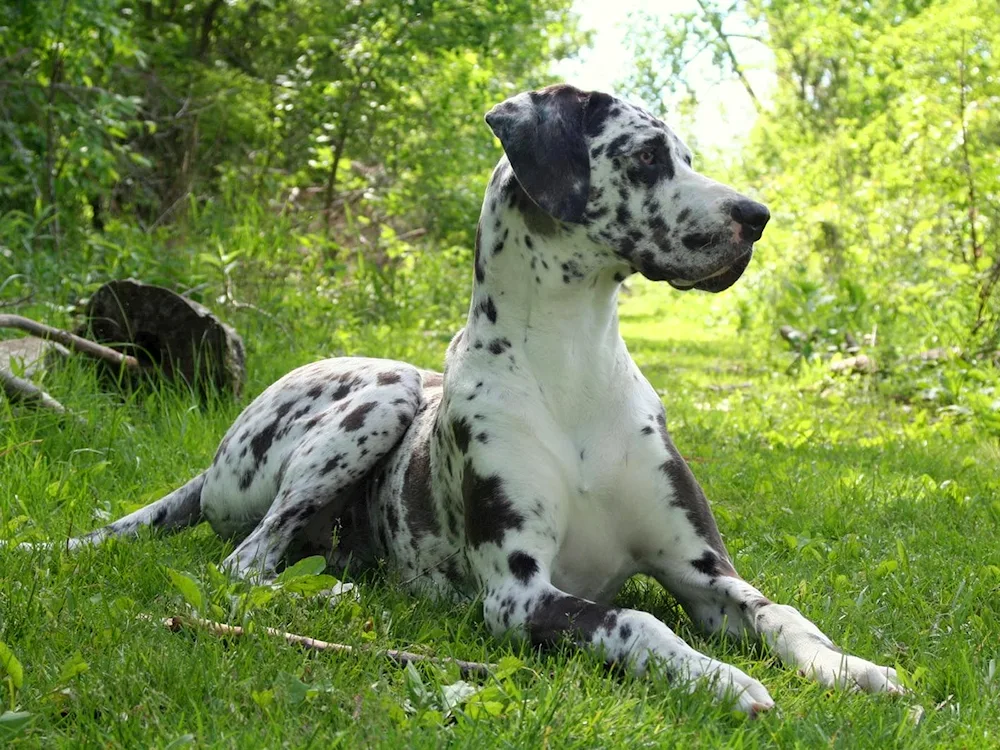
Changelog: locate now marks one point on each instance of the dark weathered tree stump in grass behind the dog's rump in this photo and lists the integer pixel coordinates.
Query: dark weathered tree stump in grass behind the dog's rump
(170, 335)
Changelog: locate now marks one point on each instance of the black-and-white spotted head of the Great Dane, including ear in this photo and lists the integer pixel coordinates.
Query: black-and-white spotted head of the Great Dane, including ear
(589, 159)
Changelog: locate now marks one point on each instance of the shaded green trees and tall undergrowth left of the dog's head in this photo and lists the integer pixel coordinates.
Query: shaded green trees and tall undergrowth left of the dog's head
(292, 152)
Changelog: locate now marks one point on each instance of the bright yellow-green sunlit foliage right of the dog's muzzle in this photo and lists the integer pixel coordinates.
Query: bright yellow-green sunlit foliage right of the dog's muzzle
(880, 159)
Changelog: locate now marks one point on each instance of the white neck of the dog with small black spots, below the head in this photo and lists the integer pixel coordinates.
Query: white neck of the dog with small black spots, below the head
(542, 289)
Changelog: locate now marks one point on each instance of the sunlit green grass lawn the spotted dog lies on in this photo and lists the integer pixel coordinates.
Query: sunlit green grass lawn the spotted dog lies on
(878, 522)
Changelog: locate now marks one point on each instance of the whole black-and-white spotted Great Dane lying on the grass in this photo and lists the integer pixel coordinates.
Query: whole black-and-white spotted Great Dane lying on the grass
(537, 472)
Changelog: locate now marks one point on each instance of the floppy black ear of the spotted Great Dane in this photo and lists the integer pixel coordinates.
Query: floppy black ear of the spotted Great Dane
(542, 133)
